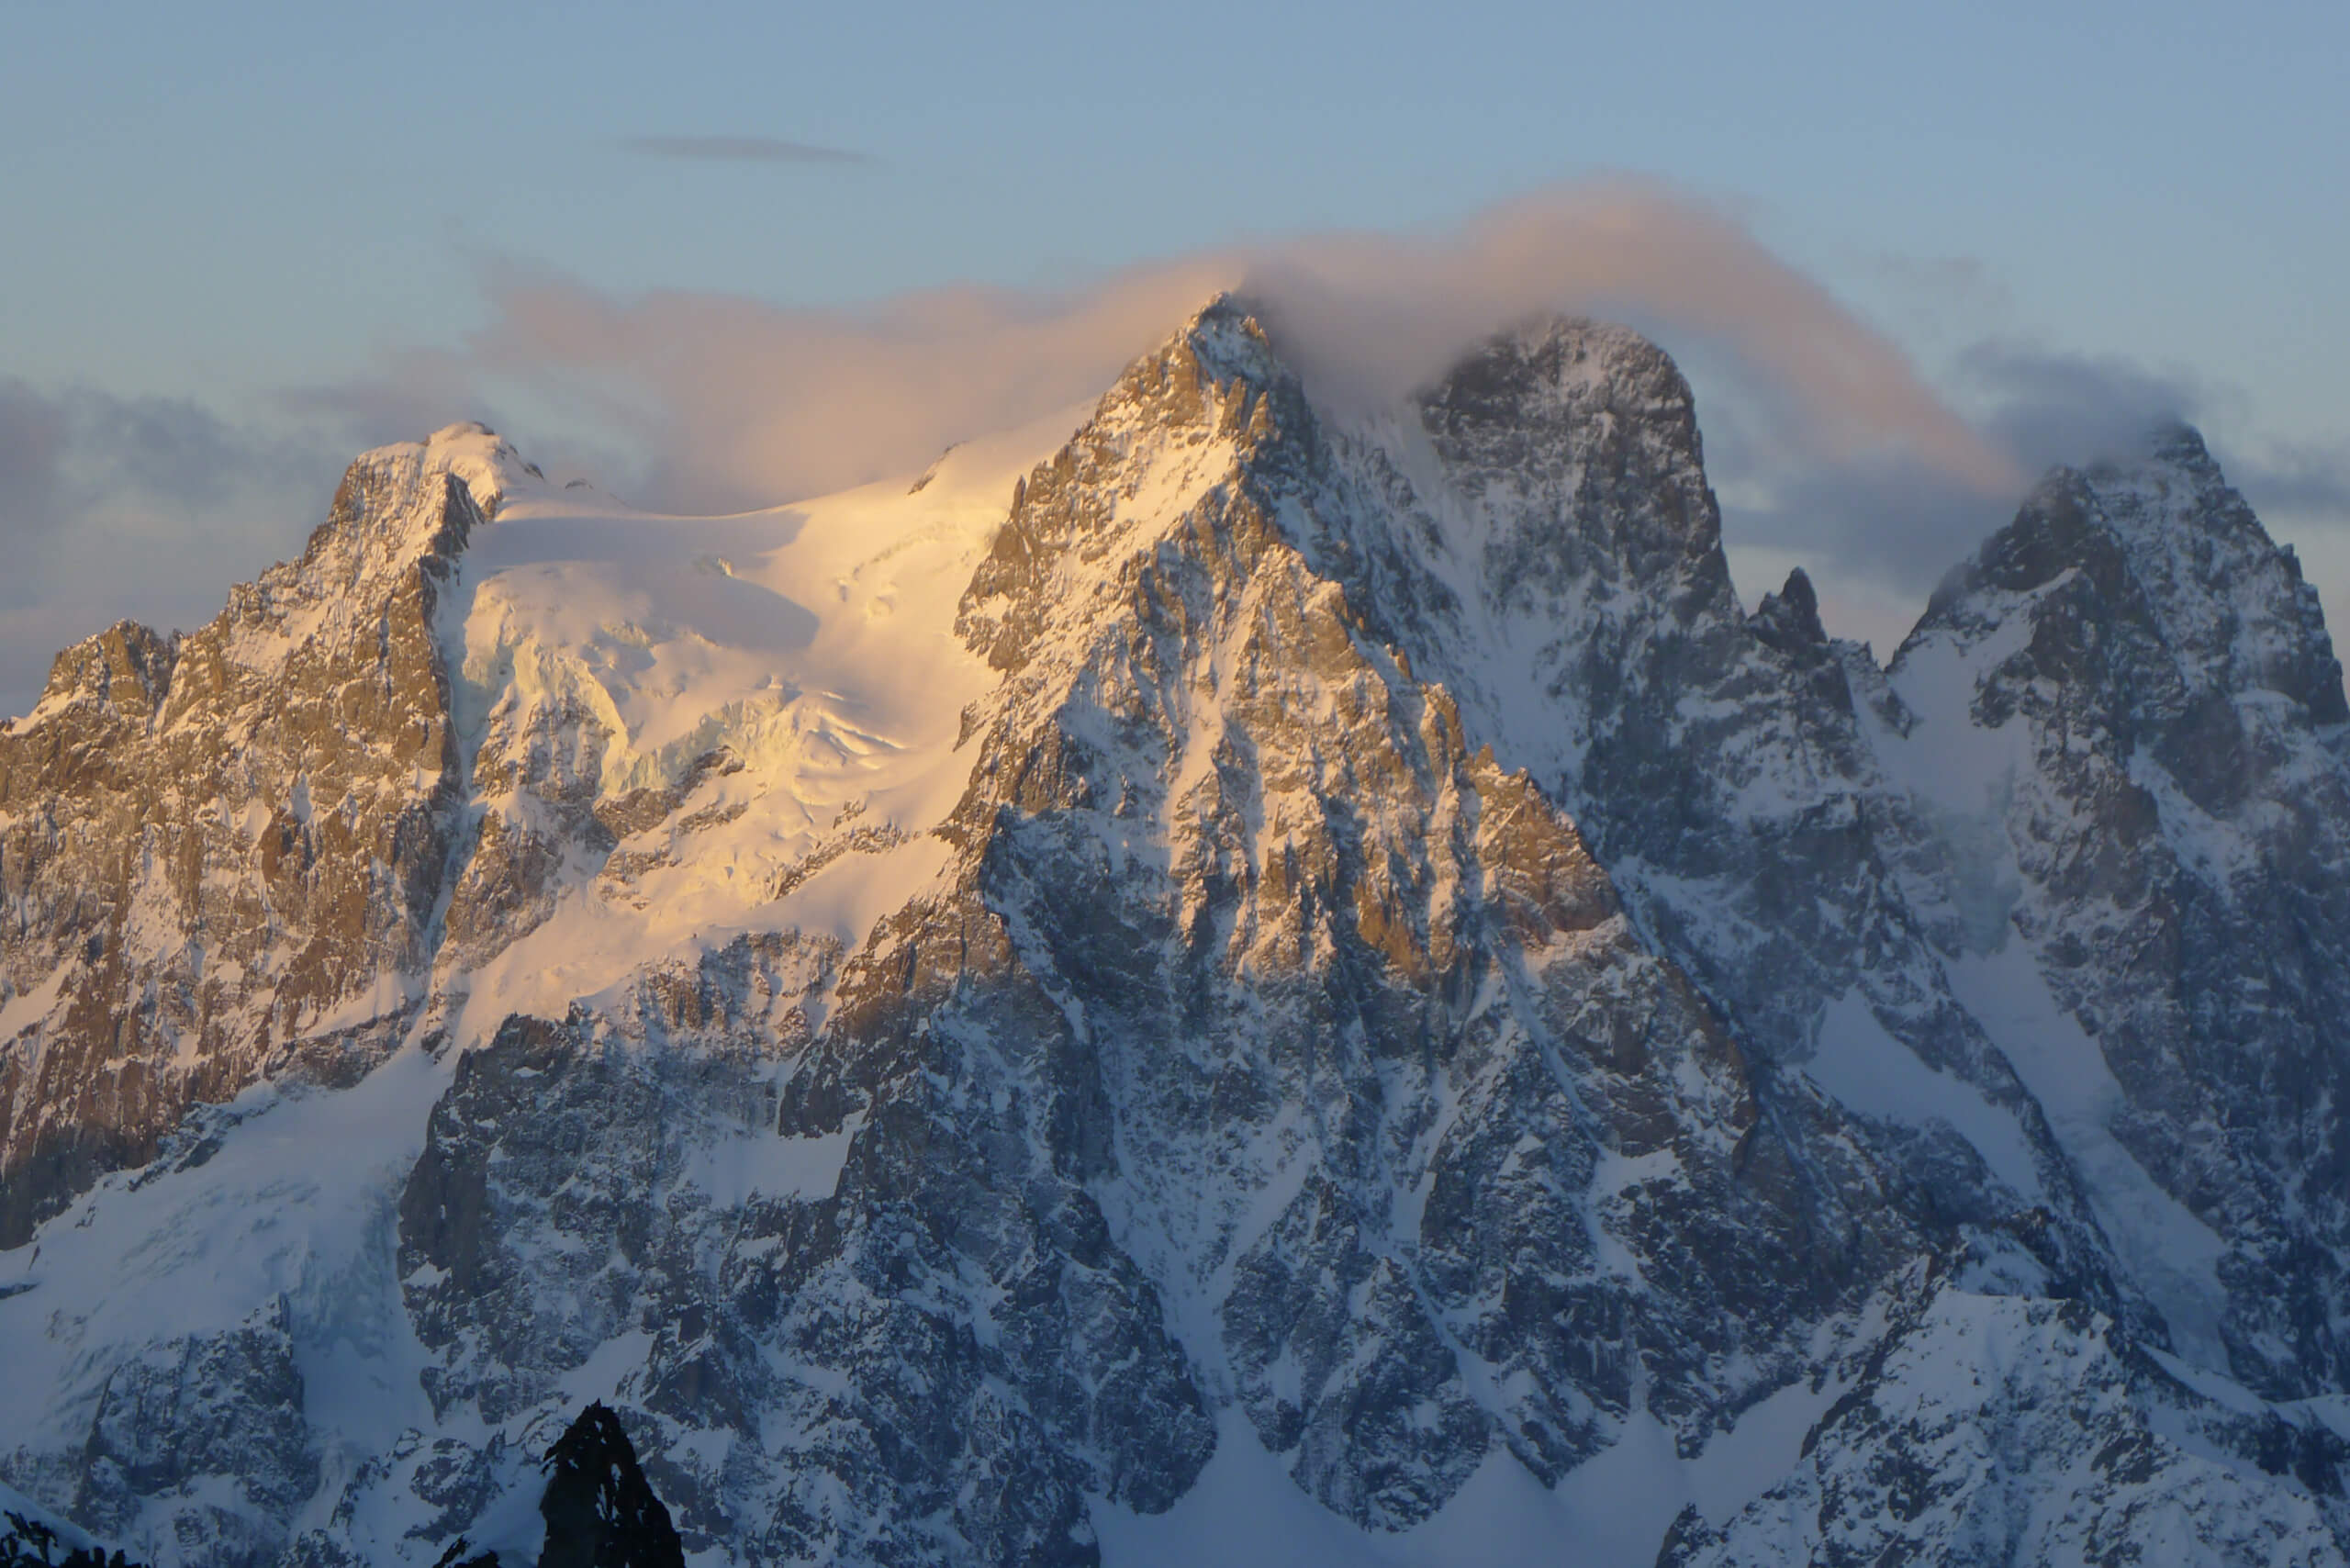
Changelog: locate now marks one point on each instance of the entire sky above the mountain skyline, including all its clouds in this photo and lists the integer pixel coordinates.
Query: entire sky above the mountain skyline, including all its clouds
(737, 253)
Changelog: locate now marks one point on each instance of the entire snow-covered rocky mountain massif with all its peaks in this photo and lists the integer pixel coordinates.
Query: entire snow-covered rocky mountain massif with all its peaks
(1211, 979)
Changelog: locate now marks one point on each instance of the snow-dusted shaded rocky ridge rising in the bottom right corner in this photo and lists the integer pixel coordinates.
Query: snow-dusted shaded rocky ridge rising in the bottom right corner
(2010, 1430)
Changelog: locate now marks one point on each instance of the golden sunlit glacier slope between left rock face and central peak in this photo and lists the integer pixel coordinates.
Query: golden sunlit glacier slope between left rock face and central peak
(812, 645)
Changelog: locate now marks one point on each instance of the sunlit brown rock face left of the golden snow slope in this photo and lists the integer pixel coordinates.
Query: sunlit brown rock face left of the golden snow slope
(215, 847)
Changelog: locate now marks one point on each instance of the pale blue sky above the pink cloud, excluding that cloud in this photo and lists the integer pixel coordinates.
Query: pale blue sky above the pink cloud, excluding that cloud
(217, 208)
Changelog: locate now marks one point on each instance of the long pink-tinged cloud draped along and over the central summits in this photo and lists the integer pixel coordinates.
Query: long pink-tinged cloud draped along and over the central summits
(727, 401)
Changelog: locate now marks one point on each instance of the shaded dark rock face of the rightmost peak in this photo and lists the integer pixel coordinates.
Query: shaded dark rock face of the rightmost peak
(2177, 859)
